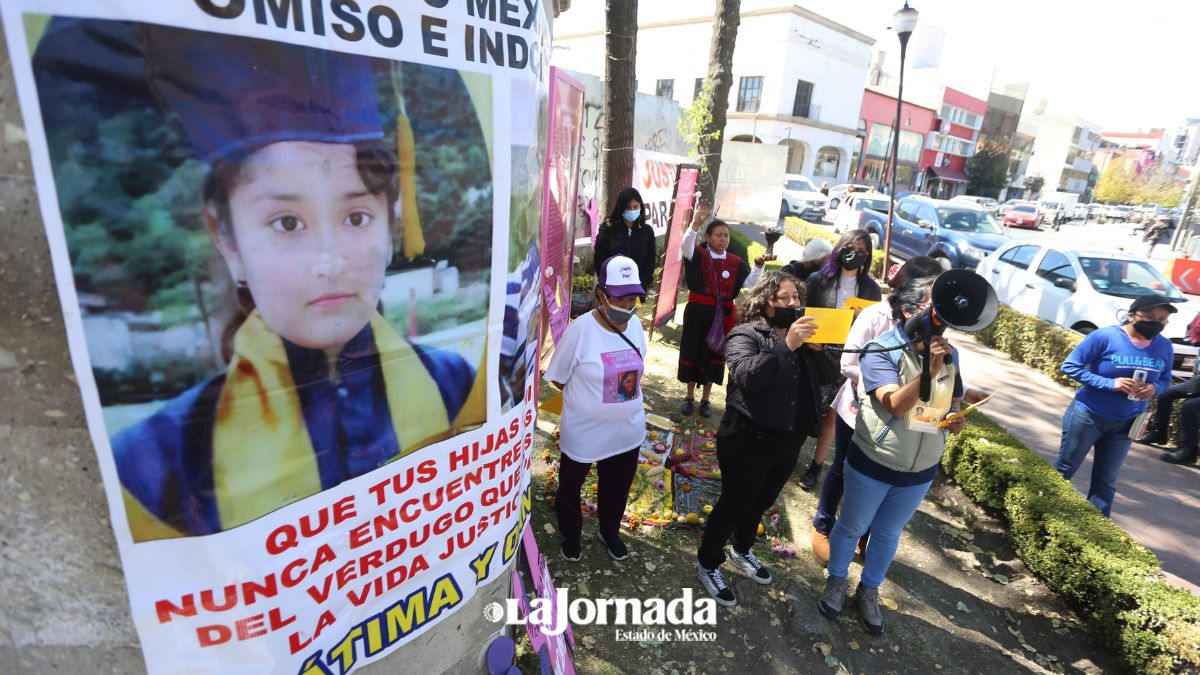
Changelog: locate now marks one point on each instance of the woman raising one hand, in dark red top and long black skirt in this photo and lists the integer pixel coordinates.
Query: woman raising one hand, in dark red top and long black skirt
(715, 278)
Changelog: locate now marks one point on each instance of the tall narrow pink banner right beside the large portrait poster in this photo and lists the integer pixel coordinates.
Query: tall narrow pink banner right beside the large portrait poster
(560, 190)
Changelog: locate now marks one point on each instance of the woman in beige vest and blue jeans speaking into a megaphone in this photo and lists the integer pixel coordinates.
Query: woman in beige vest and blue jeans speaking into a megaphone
(893, 457)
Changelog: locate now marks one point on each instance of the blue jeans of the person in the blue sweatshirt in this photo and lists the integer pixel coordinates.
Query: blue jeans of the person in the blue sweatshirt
(1082, 432)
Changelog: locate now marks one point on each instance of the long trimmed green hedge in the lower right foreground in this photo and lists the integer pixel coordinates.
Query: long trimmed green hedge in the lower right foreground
(1081, 554)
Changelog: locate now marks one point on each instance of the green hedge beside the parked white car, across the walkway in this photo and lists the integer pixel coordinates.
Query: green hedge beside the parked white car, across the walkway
(1045, 347)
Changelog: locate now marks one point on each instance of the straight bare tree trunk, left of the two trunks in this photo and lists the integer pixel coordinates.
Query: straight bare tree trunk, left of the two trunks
(621, 91)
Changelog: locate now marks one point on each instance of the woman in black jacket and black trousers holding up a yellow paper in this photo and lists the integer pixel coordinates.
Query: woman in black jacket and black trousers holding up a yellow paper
(771, 408)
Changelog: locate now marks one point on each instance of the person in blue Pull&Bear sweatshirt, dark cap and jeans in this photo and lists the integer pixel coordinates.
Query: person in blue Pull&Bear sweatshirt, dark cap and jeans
(1121, 368)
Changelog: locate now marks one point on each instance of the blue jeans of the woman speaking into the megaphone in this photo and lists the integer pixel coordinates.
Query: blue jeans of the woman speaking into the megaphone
(877, 506)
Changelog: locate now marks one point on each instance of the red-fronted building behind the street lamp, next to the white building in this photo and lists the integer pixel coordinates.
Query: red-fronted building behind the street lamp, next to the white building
(874, 157)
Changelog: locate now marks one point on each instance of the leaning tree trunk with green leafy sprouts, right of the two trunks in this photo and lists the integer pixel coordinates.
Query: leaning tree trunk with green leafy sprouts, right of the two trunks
(721, 75)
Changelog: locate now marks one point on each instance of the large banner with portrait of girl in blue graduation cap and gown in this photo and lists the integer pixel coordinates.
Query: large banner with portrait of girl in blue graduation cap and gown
(286, 240)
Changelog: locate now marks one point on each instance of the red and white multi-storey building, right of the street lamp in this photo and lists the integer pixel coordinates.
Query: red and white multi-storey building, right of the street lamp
(951, 142)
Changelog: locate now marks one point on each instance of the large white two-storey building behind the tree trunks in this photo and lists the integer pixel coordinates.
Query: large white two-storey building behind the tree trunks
(797, 76)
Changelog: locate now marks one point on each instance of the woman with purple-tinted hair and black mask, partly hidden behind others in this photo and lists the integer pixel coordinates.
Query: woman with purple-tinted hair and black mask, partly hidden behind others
(847, 274)
